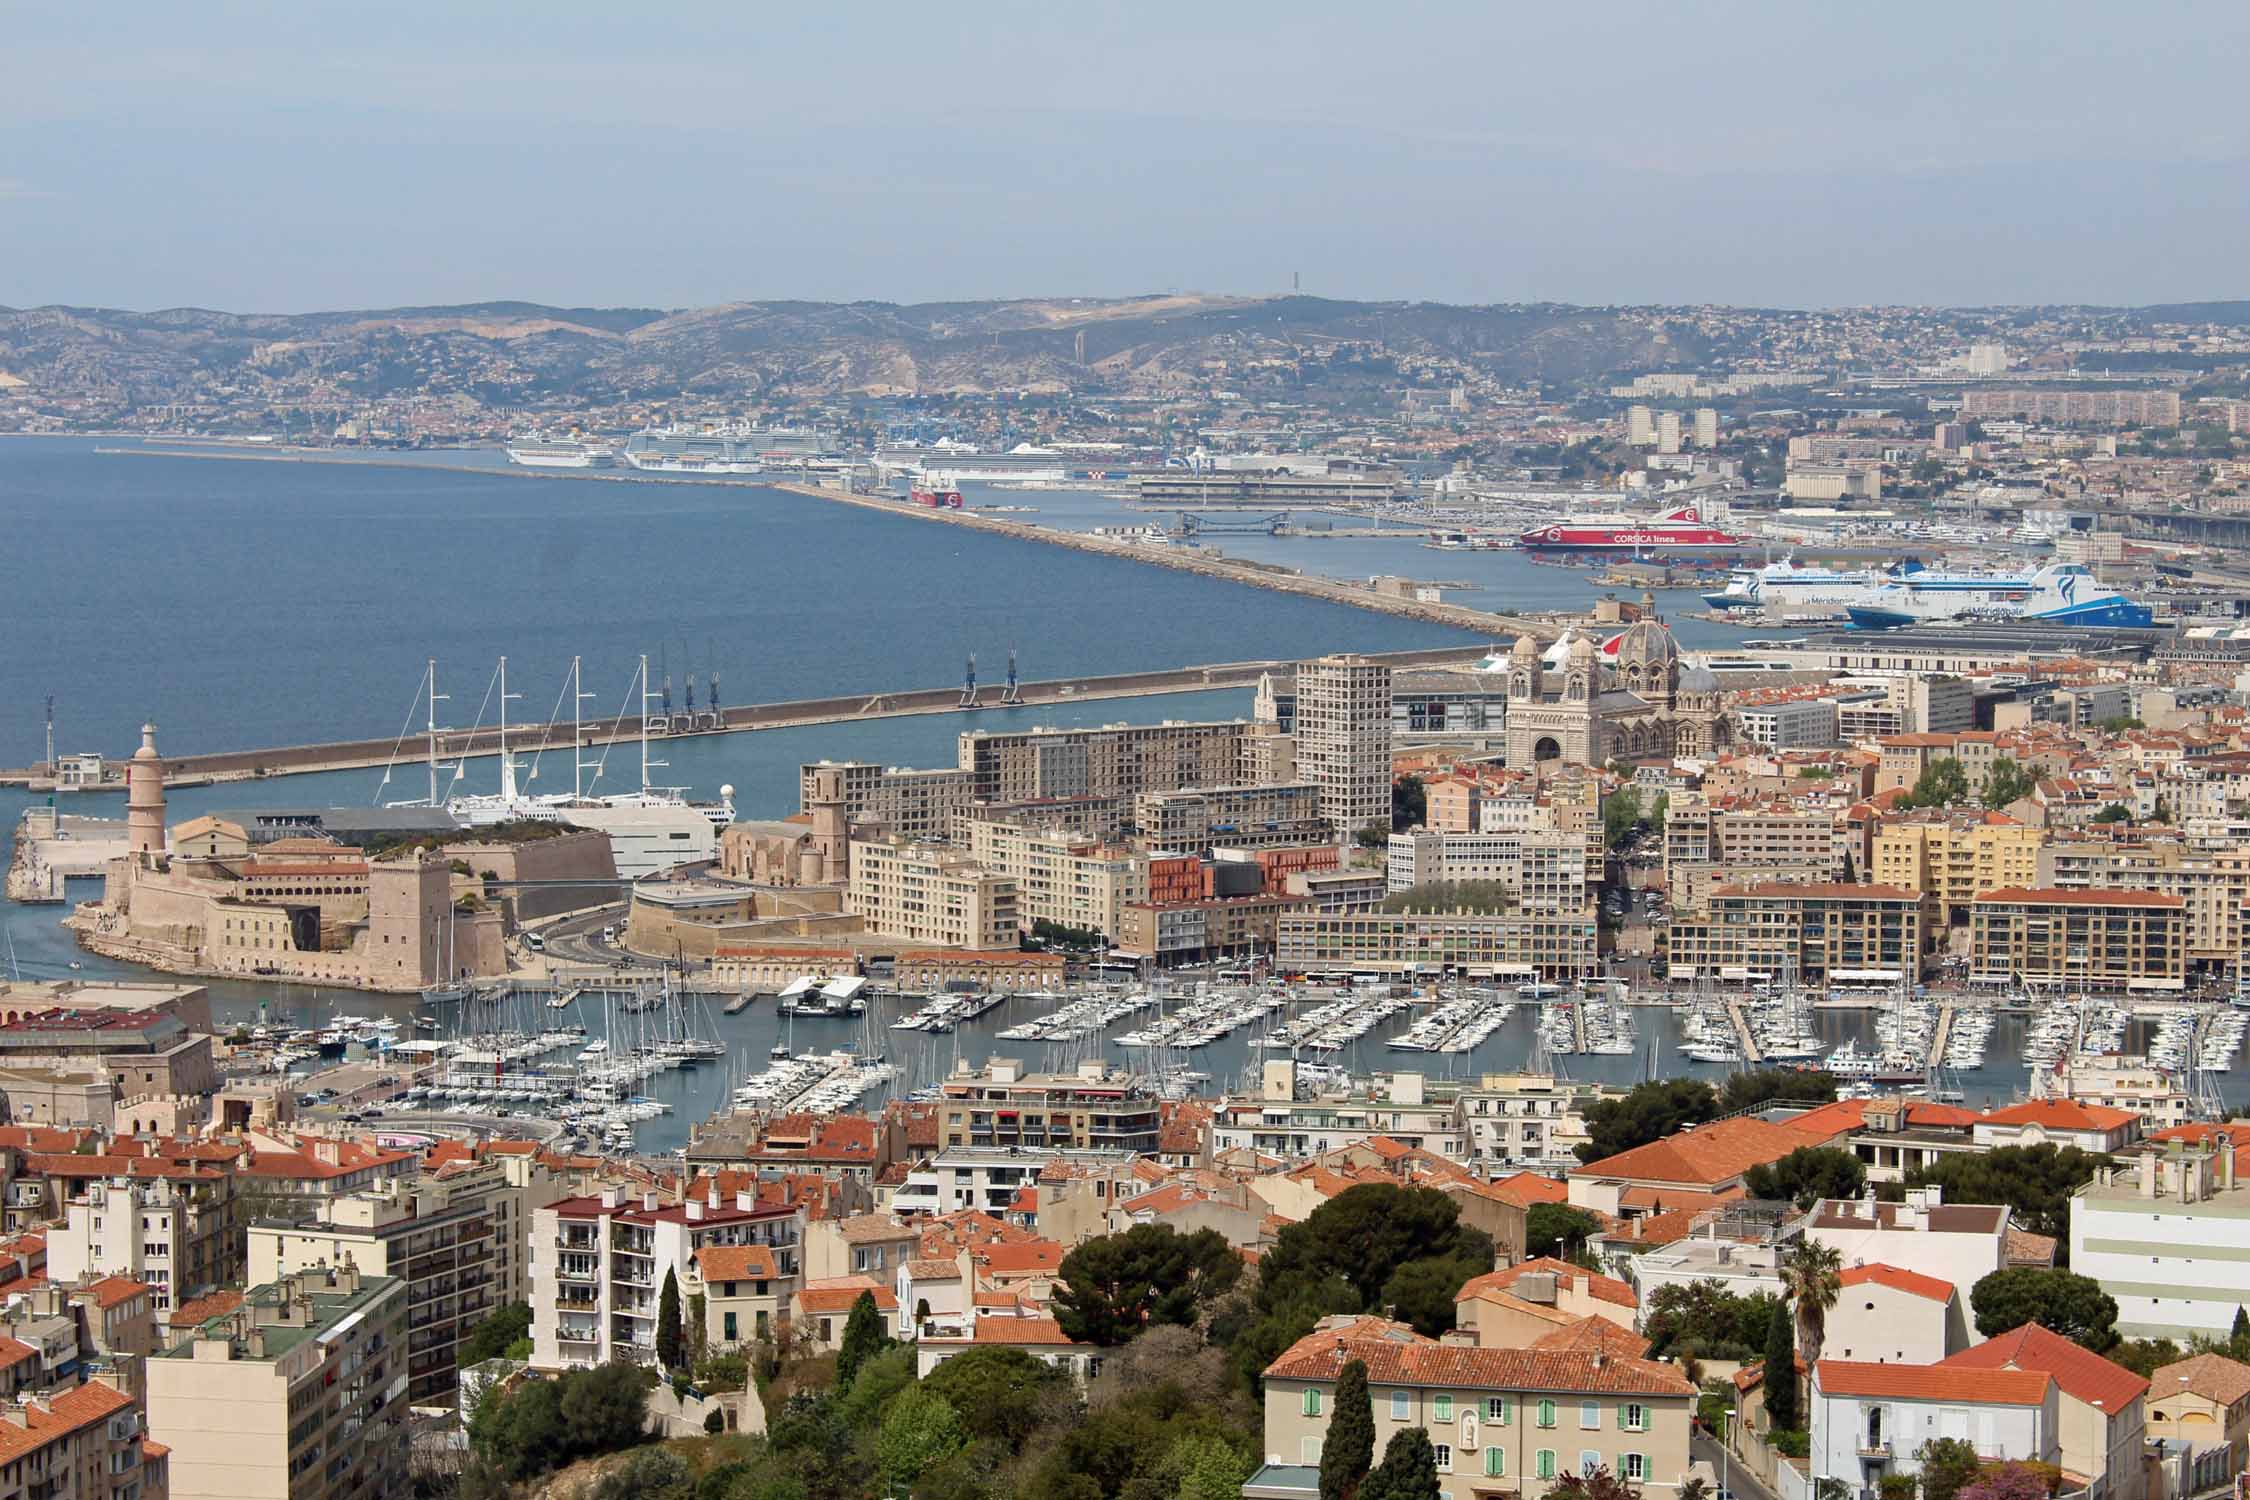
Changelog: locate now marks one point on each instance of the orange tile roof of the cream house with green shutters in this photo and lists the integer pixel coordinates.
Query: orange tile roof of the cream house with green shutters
(1423, 1362)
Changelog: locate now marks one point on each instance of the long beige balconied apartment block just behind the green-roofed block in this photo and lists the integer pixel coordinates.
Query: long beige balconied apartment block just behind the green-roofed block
(458, 1240)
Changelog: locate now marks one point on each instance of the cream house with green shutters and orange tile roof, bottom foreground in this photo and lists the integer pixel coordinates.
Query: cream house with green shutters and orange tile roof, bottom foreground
(1502, 1420)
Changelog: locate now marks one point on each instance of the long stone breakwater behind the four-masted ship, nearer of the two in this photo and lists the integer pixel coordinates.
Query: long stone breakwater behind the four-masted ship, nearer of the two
(847, 707)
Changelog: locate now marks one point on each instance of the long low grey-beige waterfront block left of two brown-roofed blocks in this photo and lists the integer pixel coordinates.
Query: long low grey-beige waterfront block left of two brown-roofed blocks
(1470, 943)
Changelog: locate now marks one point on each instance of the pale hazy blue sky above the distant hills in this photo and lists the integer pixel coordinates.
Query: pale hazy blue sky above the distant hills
(1803, 154)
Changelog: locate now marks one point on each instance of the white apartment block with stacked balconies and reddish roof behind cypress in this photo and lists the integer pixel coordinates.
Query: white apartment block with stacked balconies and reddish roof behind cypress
(600, 1267)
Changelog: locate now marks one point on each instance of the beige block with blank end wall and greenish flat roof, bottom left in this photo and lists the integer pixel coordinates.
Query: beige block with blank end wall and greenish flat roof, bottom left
(294, 1395)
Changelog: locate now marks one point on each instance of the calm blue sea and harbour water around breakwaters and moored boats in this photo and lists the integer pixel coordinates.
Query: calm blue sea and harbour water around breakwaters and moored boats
(264, 604)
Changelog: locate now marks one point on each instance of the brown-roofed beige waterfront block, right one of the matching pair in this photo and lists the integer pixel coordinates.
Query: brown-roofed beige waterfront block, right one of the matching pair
(2080, 939)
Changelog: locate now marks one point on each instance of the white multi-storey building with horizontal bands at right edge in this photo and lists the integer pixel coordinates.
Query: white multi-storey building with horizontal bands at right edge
(2166, 1238)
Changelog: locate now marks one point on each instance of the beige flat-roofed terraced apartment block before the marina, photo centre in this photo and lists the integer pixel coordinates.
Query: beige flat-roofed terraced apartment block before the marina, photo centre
(1007, 1108)
